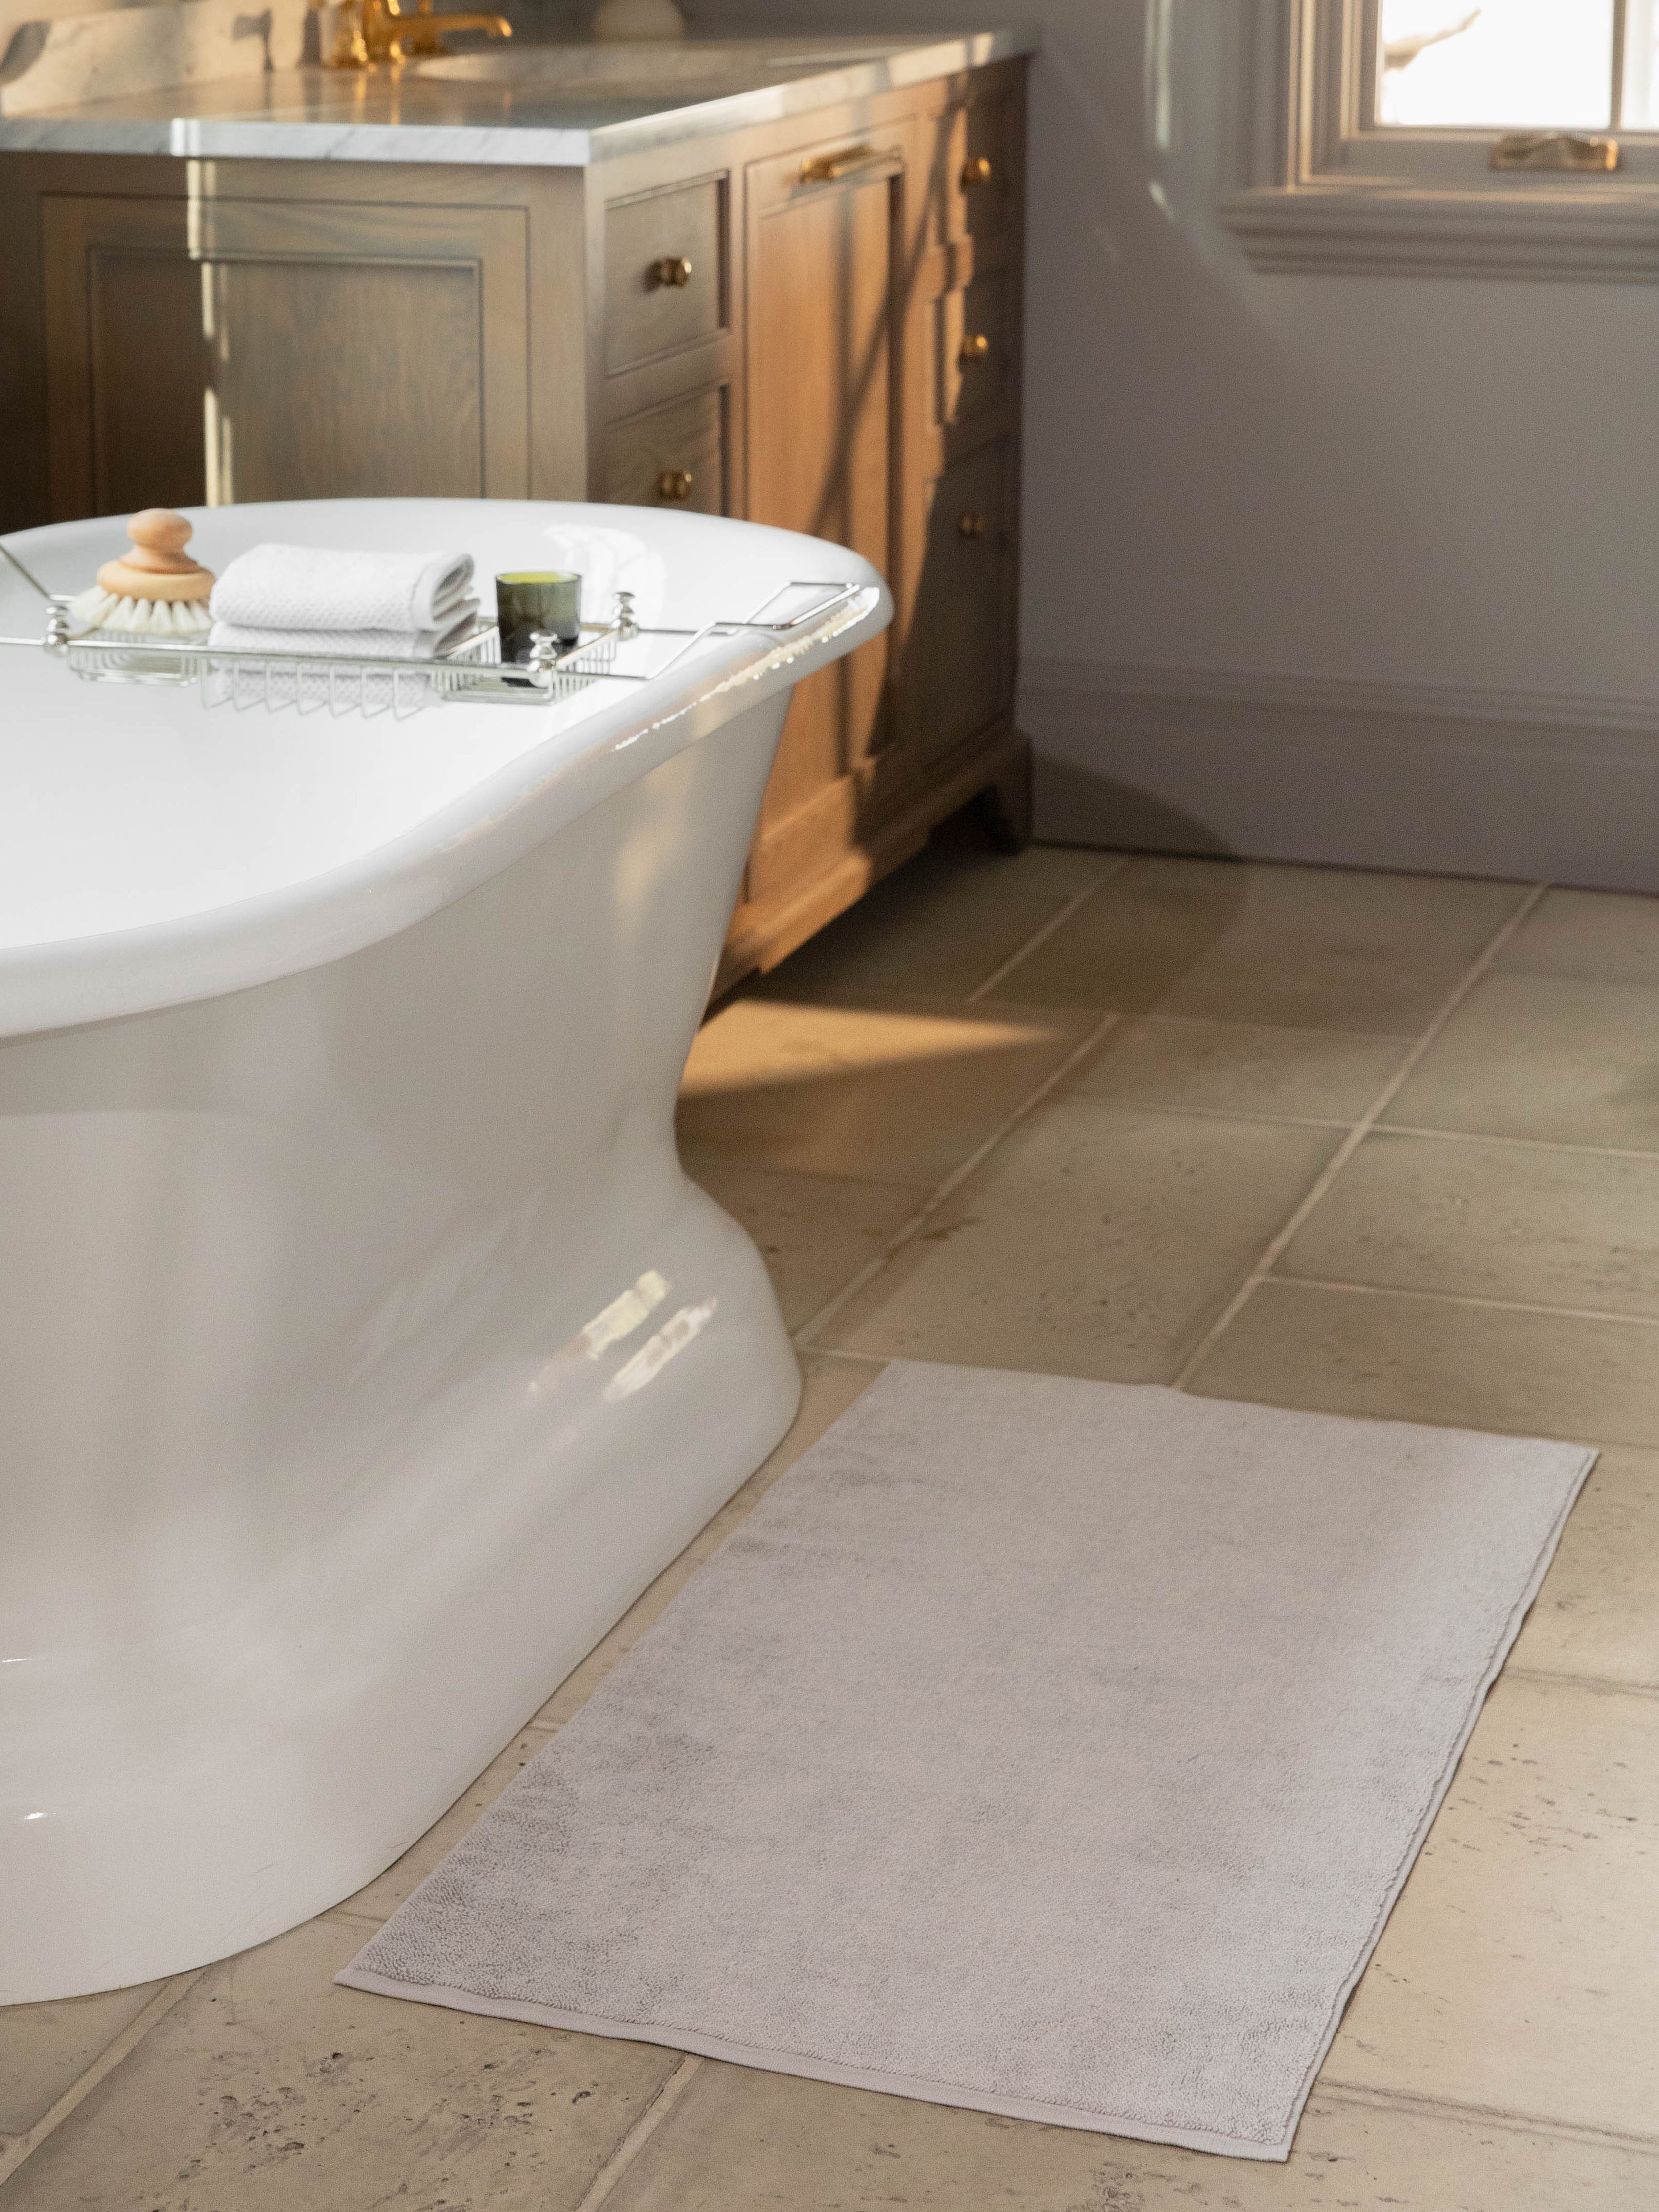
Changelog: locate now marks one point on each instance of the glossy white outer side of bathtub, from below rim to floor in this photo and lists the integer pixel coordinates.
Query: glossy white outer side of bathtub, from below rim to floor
(364, 1353)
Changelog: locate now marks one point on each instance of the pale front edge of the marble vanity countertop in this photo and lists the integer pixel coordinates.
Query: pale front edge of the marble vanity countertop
(112, 127)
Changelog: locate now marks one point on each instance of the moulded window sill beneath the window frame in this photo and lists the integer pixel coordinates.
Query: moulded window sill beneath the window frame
(1583, 233)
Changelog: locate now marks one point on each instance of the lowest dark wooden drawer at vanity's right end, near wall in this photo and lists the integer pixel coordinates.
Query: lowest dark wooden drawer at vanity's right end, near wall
(959, 667)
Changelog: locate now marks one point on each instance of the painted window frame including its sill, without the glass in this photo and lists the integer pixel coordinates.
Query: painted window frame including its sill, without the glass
(1319, 187)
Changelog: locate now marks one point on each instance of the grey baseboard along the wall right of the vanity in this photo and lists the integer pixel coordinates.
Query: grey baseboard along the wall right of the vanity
(1357, 775)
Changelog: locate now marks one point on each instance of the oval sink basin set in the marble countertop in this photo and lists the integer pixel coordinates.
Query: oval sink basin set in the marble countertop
(696, 70)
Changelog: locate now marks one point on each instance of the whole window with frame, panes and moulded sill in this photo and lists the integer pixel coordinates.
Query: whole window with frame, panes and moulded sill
(1441, 136)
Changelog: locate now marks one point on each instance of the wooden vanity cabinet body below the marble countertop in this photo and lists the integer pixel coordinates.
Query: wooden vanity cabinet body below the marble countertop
(813, 324)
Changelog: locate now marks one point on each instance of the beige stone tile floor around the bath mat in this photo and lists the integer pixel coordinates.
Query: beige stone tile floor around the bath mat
(1357, 1142)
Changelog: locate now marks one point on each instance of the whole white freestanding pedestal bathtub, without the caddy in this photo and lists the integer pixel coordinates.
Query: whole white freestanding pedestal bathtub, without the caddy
(364, 1348)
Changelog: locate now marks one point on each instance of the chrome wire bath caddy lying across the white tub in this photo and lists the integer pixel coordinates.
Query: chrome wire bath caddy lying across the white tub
(470, 674)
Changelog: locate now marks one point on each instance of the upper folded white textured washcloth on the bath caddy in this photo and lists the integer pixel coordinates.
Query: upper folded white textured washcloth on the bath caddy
(326, 589)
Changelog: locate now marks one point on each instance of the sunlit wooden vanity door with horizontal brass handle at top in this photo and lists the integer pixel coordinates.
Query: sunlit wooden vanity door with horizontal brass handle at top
(822, 437)
